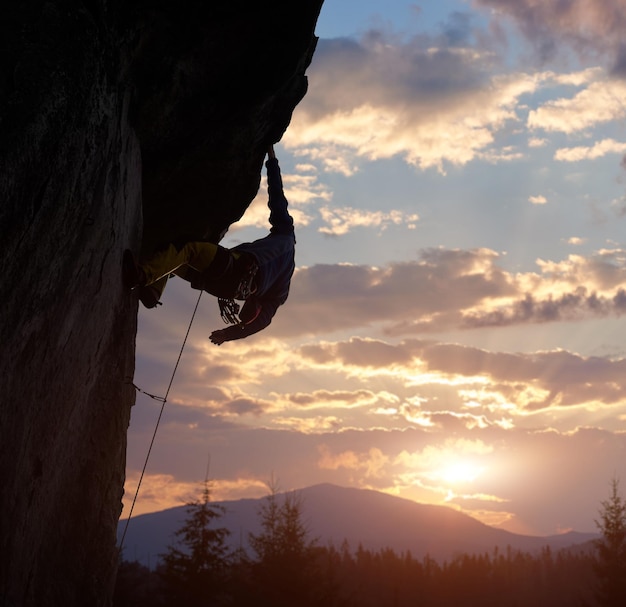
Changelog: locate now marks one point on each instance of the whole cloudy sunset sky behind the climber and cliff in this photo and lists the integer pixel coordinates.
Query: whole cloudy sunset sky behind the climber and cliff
(455, 332)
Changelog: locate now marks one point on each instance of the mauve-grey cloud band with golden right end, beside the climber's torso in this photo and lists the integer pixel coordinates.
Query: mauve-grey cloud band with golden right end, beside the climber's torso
(453, 289)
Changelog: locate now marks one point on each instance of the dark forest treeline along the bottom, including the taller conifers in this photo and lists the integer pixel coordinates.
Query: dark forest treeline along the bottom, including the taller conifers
(287, 567)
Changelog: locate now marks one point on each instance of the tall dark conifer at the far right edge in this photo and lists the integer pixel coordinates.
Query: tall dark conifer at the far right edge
(610, 566)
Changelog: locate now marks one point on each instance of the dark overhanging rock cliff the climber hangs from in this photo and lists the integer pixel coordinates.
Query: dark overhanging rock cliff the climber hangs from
(122, 124)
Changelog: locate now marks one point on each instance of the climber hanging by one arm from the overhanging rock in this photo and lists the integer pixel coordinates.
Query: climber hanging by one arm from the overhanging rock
(258, 273)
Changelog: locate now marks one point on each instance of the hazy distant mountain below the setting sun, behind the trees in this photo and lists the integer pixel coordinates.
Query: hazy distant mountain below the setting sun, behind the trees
(360, 516)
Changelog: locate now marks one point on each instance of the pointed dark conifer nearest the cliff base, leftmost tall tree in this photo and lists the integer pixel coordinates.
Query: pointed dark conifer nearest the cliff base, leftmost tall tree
(195, 573)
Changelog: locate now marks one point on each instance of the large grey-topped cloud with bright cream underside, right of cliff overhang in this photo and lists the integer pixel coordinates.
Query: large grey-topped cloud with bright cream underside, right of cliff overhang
(378, 98)
